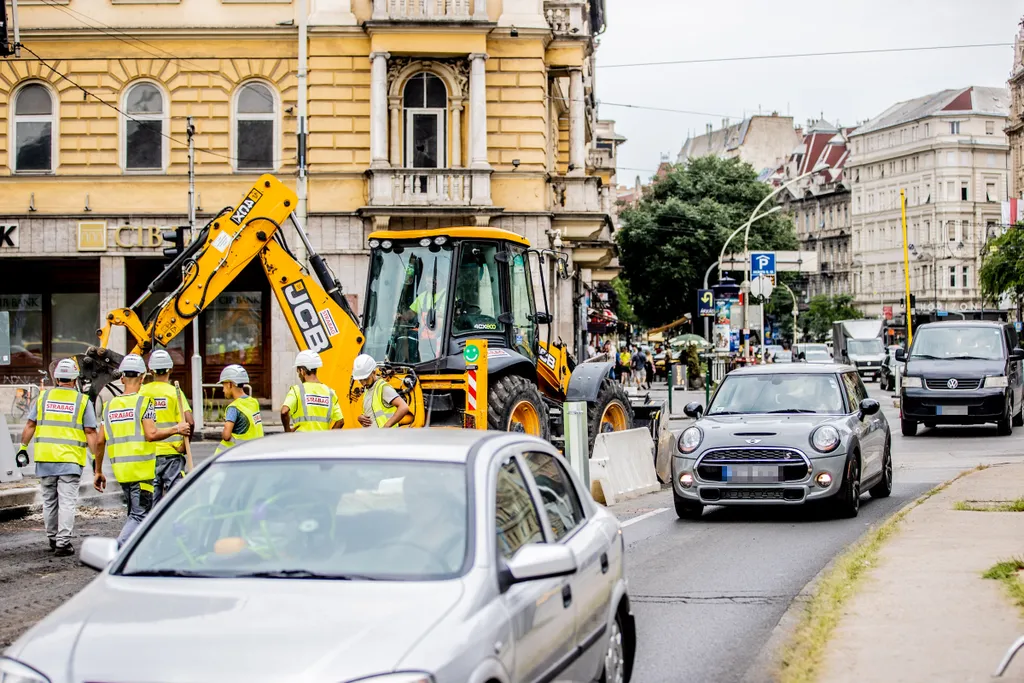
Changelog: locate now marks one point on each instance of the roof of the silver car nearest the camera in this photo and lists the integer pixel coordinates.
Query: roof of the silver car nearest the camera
(437, 445)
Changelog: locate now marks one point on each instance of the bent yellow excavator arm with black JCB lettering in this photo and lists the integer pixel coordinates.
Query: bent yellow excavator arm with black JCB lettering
(318, 315)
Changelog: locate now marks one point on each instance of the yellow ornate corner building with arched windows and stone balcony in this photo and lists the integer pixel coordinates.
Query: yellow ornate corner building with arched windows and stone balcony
(420, 113)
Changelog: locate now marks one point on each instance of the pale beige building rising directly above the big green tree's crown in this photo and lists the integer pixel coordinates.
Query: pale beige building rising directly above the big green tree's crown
(762, 142)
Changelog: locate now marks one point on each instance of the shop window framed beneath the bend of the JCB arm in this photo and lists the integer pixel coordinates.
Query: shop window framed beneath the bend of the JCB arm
(235, 330)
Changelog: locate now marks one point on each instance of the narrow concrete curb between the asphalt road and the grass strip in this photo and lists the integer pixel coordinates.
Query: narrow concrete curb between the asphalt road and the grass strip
(765, 664)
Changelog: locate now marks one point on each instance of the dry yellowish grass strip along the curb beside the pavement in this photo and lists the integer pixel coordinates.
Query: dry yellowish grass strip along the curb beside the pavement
(802, 657)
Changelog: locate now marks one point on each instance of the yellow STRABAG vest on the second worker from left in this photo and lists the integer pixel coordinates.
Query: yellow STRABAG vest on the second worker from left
(133, 458)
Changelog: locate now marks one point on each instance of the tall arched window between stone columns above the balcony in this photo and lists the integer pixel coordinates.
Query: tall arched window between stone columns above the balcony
(425, 103)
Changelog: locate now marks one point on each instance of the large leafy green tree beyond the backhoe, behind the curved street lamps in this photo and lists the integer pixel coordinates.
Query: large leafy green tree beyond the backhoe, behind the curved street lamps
(677, 231)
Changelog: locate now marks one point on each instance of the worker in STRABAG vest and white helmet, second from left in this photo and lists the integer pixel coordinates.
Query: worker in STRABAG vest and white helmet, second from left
(130, 432)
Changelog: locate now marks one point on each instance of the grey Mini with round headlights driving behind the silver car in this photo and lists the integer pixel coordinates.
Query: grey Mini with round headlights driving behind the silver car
(785, 436)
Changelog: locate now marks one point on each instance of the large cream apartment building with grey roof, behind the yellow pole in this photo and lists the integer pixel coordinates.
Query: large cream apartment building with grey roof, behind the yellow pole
(949, 152)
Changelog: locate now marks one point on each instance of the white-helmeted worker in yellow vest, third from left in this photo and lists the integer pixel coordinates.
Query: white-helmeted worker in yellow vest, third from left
(170, 458)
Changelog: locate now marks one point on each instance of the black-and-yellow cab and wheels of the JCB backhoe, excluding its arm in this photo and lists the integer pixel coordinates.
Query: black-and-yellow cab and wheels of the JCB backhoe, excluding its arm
(430, 292)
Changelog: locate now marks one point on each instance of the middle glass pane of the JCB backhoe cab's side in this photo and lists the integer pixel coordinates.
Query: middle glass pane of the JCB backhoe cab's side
(478, 290)
